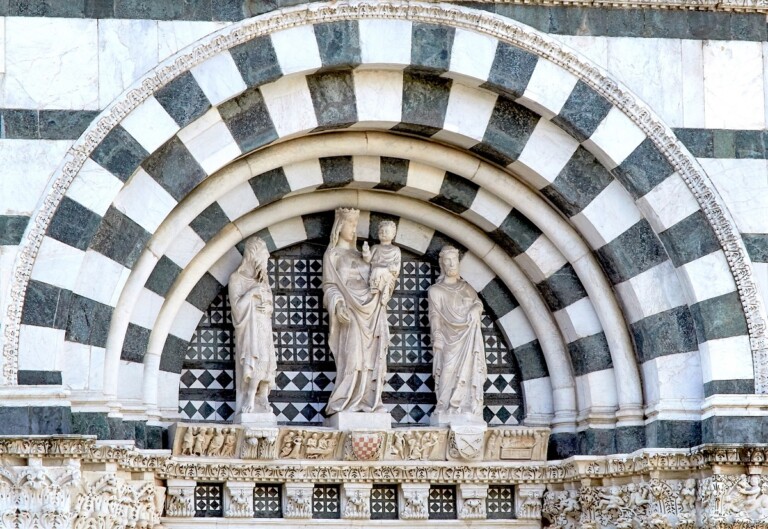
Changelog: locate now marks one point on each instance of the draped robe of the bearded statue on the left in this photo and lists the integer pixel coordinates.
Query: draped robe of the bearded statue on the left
(253, 332)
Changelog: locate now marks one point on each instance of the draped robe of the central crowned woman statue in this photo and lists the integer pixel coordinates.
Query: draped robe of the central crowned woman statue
(359, 347)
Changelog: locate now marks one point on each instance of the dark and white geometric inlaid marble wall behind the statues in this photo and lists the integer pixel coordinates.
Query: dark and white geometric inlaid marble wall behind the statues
(306, 371)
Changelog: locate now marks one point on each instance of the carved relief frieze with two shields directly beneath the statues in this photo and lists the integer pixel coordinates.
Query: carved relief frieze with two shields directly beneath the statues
(231, 441)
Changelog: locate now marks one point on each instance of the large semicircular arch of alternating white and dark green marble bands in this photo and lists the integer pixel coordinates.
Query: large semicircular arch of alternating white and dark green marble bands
(607, 273)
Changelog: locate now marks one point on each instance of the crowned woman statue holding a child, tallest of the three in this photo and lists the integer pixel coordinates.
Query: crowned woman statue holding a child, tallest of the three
(359, 332)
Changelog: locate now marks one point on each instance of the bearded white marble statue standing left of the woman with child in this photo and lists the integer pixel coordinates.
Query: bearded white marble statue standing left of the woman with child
(251, 304)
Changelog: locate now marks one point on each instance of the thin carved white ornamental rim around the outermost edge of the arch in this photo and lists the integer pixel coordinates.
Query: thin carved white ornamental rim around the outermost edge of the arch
(503, 29)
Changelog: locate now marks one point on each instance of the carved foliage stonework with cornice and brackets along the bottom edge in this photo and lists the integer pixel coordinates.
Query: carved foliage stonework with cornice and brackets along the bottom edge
(656, 490)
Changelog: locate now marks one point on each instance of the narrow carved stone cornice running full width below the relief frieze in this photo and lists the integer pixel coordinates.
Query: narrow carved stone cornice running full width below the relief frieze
(705, 458)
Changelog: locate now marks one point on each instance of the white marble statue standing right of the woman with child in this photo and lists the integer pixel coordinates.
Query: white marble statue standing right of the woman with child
(459, 368)
